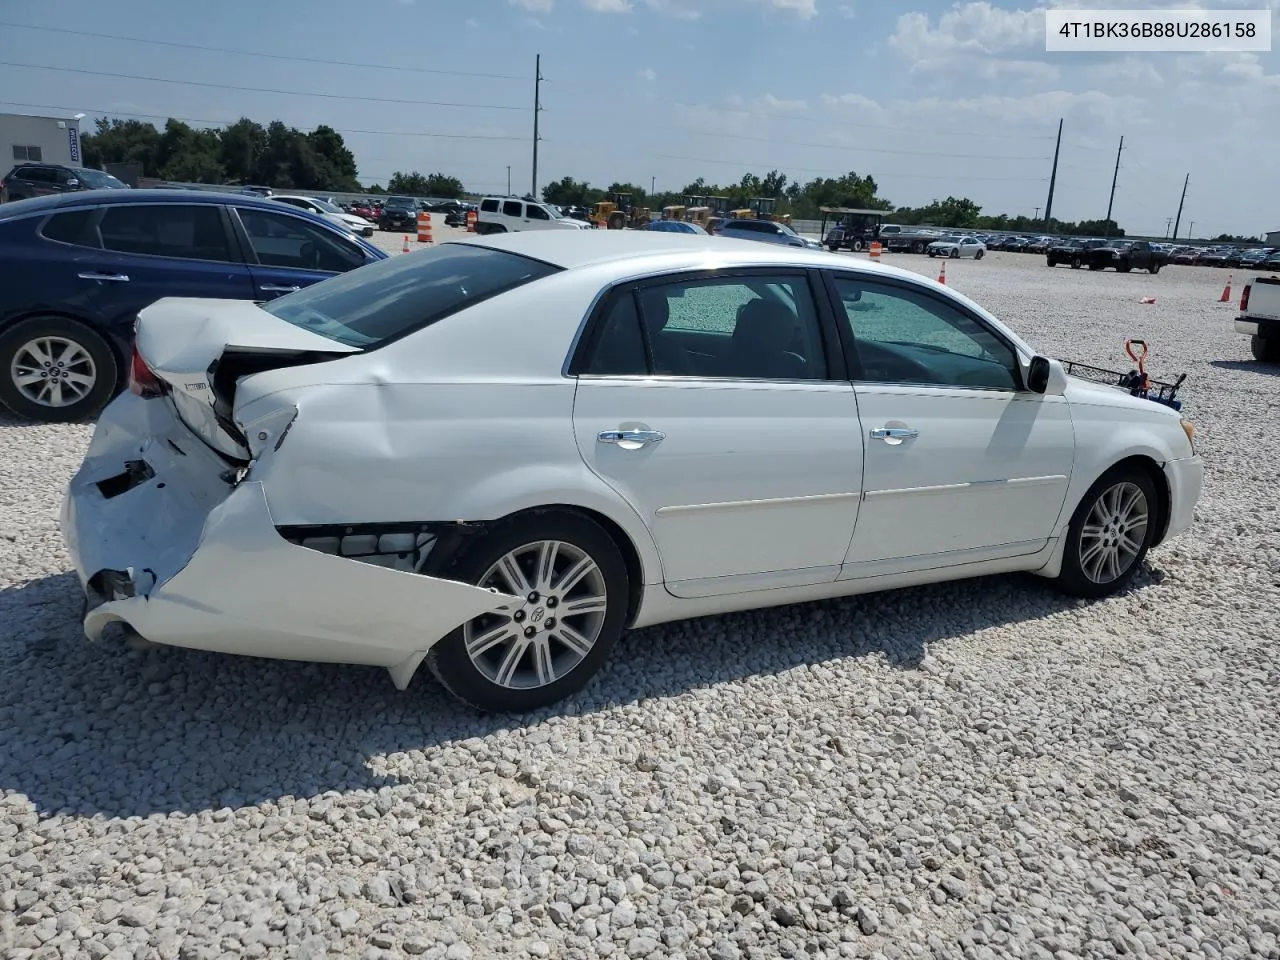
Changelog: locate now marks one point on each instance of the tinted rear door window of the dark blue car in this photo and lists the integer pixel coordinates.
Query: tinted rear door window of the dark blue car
(186, 231)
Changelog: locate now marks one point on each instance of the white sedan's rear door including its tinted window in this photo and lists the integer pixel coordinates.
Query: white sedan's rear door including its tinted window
(708, 405)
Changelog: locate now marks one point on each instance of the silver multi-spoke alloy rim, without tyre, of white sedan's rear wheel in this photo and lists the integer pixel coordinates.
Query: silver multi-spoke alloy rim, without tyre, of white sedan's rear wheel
(552, 630)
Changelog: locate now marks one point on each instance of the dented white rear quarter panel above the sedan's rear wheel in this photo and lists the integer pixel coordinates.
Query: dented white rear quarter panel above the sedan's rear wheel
(469, 419)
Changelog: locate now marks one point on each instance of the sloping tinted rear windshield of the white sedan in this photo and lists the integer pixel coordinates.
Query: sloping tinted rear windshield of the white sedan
(395, 298)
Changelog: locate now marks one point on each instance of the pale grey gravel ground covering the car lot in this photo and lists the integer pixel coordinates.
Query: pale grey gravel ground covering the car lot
(976, 770)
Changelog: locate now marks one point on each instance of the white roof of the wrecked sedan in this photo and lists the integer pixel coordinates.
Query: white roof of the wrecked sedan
(572, 250)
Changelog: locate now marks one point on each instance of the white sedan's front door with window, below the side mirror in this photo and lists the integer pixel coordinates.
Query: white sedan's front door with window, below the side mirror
(962, 463)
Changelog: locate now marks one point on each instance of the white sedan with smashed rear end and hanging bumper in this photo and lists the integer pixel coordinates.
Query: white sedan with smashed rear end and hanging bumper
(499, 454)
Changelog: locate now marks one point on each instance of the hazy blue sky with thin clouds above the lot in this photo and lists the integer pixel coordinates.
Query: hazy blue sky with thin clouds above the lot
(931, 99)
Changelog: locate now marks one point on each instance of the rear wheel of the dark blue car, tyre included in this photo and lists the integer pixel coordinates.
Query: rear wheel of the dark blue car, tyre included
(56, 371)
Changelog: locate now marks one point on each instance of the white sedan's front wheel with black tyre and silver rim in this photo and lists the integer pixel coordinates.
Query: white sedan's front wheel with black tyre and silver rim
(1110, 534)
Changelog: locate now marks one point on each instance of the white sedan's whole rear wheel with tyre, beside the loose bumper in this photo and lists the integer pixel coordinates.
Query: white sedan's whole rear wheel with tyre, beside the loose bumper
(575, 591)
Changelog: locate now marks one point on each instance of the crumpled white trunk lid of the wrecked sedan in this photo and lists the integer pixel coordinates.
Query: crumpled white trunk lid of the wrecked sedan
(202, 349)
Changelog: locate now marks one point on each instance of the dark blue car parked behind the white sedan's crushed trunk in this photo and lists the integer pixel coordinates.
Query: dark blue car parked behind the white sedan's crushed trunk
(80, 267)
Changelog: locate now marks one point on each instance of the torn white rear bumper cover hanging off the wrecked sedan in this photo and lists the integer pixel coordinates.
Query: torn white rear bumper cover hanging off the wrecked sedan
(208, 570)
